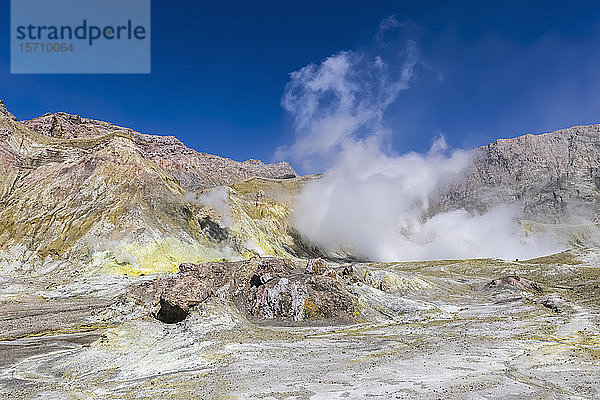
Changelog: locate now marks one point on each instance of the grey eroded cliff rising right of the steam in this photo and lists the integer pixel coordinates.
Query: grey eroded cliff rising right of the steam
(552, 177)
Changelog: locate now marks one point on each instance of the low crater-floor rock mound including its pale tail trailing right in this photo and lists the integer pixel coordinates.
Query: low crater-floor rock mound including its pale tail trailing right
(284, 291)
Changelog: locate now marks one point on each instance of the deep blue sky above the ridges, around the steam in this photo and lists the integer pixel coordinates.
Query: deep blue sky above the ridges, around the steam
(488, 70)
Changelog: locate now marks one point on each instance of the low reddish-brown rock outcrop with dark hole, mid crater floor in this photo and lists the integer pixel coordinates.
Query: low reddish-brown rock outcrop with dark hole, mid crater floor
(268, 289)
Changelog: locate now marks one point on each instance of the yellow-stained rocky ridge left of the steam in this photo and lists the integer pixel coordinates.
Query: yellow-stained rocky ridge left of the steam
(85, 195)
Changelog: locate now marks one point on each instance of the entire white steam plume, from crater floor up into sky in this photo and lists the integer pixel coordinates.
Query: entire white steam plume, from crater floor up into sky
(370, 202)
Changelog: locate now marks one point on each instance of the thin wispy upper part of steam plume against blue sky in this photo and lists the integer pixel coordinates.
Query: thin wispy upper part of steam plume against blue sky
(339, 102)
